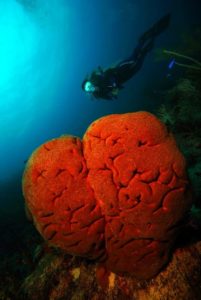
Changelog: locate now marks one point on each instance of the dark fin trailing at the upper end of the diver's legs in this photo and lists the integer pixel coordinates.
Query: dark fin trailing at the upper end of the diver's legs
(156, 29)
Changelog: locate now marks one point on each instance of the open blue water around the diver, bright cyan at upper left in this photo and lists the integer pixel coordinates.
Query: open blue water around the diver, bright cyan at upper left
(47, 47)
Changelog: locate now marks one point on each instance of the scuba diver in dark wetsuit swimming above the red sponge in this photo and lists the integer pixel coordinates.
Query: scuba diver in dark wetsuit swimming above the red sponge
(106, 83)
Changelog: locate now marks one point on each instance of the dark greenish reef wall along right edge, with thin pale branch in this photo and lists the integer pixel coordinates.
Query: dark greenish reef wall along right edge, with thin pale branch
(181, 108)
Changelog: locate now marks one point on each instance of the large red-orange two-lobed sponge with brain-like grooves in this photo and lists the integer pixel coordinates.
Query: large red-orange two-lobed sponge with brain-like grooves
(120, 195)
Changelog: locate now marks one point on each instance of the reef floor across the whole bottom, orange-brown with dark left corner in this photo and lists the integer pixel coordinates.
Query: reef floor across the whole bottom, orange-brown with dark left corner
(28, 274)
